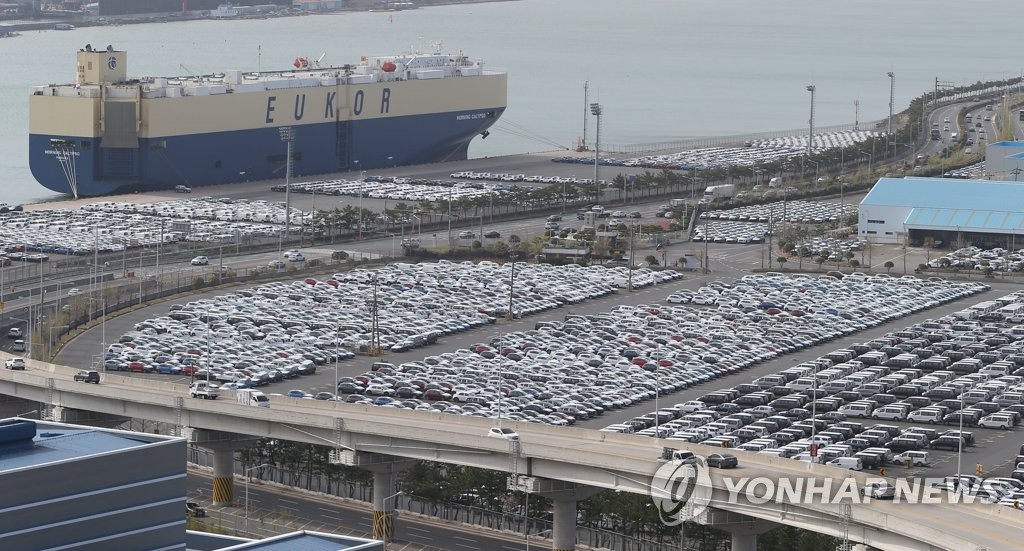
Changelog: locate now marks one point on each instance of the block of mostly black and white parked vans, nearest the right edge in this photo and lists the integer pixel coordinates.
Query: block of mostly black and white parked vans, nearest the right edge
(953, 370)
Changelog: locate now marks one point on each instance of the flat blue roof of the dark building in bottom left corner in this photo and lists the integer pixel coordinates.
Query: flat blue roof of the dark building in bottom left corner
(60, 443)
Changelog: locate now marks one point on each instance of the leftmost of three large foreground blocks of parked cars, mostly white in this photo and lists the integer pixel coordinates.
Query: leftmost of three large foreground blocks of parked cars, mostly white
(280, 326)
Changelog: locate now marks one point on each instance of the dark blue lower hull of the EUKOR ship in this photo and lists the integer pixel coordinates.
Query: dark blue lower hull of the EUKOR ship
(238, 156)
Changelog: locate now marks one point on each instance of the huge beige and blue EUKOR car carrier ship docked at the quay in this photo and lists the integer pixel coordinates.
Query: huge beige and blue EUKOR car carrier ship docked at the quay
(108, 134)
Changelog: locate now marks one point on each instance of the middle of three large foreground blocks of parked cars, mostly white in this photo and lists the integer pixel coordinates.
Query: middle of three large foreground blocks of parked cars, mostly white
(563, 372)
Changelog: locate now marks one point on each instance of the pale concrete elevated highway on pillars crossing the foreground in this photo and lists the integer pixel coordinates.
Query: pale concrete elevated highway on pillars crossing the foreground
(560, 462)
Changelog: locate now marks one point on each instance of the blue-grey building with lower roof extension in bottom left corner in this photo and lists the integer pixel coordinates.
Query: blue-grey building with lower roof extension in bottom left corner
(87, 488)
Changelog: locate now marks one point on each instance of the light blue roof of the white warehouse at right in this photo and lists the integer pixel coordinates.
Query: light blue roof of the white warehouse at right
(948, 194)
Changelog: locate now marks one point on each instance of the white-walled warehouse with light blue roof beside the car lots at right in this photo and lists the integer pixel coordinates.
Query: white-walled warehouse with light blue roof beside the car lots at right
(944, 213)
